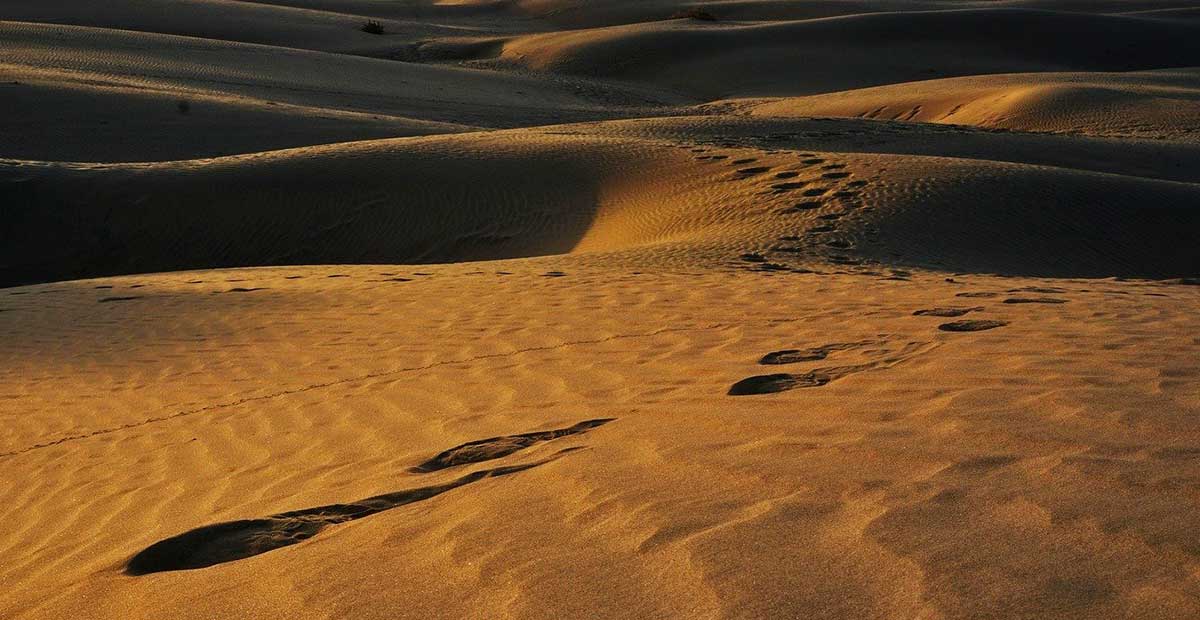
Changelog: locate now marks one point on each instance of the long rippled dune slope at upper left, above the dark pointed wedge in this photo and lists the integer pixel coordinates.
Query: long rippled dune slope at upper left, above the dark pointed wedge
(183, 65)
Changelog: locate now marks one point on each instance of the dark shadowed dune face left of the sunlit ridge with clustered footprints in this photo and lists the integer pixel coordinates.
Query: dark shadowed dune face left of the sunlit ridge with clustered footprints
(379, 202)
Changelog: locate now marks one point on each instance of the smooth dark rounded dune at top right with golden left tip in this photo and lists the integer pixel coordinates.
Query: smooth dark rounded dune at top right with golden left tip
(712, 61)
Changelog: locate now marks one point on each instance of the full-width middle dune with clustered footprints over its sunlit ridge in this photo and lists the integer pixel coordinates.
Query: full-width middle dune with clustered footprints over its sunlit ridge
(520, 194)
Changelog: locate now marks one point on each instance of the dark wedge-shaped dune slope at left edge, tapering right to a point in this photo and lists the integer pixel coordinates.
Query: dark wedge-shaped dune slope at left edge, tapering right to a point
(49, 110)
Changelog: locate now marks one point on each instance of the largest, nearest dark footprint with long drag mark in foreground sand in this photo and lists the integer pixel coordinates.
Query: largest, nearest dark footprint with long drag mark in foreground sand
(236, 540)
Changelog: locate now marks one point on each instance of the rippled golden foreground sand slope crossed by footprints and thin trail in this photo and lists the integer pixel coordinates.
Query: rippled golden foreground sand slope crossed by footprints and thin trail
(1039, 468)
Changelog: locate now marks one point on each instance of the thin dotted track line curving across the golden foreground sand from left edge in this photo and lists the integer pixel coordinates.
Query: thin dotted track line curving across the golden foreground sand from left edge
(334, 383)
